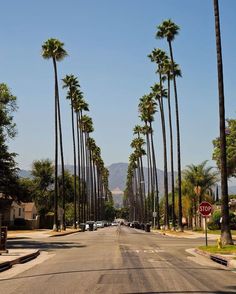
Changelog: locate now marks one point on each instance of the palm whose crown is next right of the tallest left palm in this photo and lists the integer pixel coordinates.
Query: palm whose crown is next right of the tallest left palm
(71, 82)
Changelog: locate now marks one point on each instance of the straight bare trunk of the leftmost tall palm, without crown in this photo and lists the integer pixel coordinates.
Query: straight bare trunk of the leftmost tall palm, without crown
(55, 227)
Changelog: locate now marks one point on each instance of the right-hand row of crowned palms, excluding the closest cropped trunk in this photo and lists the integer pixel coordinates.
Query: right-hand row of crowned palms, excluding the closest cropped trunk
(167, 71)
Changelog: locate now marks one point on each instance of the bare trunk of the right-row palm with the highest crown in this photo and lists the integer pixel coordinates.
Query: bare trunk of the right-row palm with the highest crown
(180, 224)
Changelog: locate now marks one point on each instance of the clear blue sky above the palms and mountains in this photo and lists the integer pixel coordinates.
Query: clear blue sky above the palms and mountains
(108, 42)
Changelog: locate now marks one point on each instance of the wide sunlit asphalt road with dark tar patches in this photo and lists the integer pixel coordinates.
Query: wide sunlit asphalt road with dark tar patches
(115, 260)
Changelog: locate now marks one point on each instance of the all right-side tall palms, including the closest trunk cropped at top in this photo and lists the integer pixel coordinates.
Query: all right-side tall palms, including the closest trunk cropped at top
(168, 70)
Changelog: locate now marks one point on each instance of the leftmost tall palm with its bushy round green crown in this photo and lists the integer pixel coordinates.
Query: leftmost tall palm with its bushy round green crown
(53, 48)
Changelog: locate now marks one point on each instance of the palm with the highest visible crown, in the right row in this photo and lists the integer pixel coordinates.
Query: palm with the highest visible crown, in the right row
(169, 30)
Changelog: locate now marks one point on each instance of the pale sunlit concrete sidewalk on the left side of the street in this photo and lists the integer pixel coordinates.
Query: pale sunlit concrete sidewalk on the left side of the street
(22, 255)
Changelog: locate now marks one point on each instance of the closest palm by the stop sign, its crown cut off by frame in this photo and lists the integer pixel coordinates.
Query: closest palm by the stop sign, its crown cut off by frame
(225, 230)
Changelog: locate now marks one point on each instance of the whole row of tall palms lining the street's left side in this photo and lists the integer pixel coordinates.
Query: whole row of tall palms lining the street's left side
(90, 175)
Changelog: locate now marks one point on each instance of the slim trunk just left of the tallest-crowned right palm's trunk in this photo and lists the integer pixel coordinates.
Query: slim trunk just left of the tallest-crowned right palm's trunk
(171, 156)
